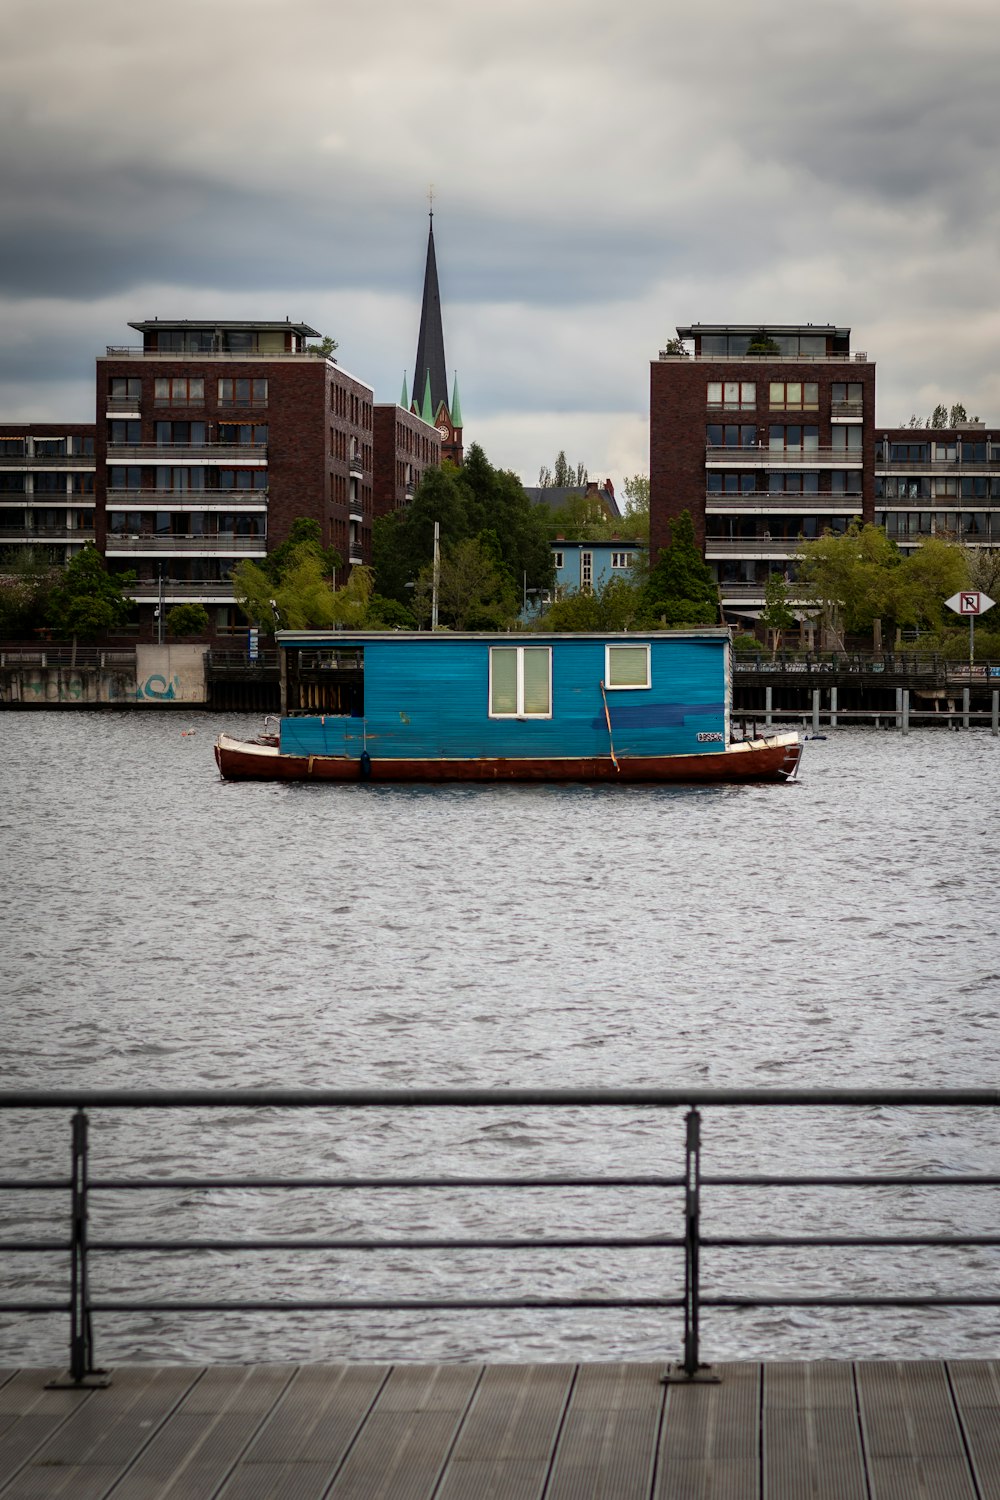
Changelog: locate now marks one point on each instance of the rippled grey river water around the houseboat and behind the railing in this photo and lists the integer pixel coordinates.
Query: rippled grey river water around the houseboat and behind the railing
(166, 929)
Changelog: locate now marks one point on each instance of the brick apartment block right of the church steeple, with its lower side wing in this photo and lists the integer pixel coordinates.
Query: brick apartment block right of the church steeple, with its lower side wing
(768, 436)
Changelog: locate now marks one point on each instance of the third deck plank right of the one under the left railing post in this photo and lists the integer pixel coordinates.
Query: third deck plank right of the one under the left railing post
(308, 1435)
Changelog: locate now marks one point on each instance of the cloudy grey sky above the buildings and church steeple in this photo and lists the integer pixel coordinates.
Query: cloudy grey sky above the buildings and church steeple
(602, 173)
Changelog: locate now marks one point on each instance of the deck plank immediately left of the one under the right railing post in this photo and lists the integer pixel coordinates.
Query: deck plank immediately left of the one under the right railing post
(608, 1448)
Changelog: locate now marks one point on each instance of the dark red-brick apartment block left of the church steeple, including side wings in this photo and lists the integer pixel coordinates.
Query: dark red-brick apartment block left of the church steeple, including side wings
(211, 440)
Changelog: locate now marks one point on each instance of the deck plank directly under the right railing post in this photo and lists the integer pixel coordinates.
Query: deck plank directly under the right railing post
(710, 1445)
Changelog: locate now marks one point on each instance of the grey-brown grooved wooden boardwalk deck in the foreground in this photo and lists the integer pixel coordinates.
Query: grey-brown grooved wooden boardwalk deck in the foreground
(776, 1432)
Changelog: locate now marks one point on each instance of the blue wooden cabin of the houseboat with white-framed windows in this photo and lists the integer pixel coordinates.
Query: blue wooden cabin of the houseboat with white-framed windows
(482, 697)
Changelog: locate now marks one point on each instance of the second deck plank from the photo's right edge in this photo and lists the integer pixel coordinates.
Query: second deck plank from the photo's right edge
(914, 1444)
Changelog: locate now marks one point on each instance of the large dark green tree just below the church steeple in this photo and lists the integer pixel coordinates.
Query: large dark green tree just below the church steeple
(475, 502)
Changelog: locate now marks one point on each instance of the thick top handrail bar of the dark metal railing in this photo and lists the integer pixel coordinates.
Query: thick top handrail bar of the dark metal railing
(496, 1099)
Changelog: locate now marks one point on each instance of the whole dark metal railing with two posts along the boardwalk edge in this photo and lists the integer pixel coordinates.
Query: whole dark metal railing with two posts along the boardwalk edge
(690, 1183)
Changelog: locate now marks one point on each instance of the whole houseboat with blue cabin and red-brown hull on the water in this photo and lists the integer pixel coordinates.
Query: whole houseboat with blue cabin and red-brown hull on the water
(449, 707)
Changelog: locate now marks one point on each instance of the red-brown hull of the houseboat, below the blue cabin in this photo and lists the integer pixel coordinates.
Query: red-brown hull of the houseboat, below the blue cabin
(749, 761)
